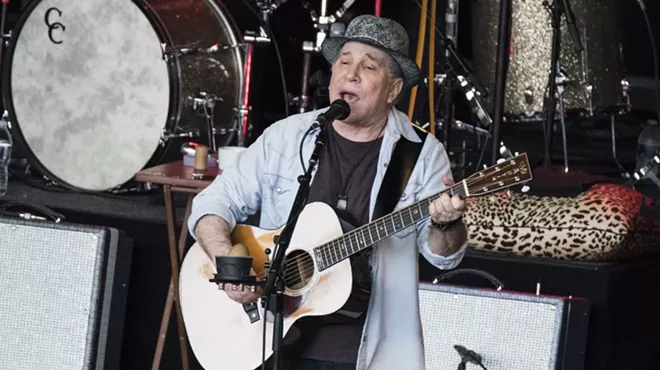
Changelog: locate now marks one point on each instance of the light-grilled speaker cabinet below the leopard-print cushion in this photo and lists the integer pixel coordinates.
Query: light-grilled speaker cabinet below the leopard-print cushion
(510, 331)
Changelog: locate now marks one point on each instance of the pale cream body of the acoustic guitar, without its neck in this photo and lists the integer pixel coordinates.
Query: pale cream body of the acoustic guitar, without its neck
(220, 331)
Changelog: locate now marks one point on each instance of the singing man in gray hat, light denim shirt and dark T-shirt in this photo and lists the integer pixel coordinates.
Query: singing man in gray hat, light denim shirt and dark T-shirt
(370, 70)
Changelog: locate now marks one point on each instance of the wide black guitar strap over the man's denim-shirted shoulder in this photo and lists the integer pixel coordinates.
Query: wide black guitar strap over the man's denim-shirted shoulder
(398, 172)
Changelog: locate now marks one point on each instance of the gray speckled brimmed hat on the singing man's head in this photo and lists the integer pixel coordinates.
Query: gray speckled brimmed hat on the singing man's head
(383, 33)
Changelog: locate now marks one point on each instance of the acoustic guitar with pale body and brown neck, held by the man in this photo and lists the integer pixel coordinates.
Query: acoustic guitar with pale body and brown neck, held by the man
(226, 335)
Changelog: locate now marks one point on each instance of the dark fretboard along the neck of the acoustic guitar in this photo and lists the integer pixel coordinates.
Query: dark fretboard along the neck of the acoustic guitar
(337, 250)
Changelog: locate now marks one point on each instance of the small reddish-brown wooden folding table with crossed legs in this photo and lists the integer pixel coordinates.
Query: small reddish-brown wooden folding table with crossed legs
(175, 177)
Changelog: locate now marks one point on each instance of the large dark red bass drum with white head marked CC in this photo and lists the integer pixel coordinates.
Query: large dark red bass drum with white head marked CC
(94, 88)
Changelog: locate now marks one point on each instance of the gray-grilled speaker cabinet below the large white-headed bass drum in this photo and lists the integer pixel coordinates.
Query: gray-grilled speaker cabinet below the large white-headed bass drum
(63, 295)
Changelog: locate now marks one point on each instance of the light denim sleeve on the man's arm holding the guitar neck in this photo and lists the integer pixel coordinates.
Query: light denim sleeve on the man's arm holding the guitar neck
(436, 168)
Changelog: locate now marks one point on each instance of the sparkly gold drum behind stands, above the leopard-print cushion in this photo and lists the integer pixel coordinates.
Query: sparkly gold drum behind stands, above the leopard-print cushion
(594, 75)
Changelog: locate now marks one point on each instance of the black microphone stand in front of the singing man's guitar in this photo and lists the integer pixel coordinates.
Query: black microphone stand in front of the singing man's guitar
(275, 279)
